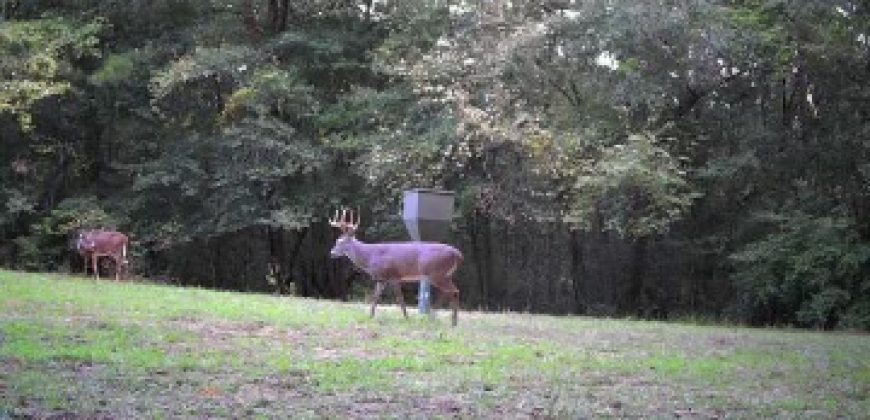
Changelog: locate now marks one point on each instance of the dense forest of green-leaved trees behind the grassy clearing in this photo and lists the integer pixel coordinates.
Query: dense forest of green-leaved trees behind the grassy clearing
(661, 159)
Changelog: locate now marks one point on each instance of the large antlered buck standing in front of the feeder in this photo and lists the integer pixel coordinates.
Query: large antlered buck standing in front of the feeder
(398, 262)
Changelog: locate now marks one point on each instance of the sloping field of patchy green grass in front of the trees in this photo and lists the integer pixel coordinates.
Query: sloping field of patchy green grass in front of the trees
(75, 347)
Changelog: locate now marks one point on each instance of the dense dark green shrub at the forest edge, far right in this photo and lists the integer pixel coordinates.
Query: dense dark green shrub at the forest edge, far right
(809, 272)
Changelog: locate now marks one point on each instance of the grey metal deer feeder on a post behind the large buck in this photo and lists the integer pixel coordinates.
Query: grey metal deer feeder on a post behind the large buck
(427, 214)
